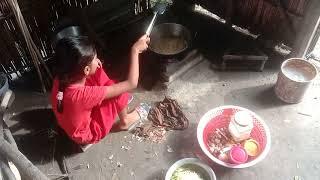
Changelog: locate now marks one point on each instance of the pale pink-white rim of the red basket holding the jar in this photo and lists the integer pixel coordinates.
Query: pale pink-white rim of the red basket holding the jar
(206, 118)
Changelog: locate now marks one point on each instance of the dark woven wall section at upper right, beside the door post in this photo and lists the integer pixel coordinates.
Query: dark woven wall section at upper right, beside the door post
(275, 19)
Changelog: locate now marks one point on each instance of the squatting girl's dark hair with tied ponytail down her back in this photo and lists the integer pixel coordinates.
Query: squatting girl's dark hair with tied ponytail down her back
(72, 55)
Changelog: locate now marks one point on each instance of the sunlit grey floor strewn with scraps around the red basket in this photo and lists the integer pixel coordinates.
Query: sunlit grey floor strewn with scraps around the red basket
(295, 149)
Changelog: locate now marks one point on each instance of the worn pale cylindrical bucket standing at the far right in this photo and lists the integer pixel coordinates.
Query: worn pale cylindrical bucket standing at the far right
(294, 79)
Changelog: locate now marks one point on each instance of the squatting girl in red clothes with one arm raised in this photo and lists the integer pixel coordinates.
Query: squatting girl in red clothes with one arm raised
(84, 100)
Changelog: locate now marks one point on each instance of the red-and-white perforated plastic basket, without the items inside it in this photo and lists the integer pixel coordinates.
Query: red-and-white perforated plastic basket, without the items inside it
(220, 118)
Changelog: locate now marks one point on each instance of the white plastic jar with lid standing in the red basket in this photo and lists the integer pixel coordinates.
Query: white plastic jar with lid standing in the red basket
(241, 126)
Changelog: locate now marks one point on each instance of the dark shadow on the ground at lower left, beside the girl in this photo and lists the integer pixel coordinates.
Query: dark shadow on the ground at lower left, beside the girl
(38, 137)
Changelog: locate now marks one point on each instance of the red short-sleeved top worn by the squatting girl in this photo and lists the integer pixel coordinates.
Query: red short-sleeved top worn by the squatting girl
(77, 119)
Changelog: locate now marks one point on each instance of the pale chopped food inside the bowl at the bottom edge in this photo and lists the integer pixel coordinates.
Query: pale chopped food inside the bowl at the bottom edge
(189, 172)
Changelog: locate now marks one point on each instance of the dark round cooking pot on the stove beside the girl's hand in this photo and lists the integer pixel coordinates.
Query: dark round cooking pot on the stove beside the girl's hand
(169, 39)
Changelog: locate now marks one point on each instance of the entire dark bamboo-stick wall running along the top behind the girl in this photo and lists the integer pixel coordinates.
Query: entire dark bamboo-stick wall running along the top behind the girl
(284, 20)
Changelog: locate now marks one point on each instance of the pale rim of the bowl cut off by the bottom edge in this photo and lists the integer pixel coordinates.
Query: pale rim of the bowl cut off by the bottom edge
(192, 161)
